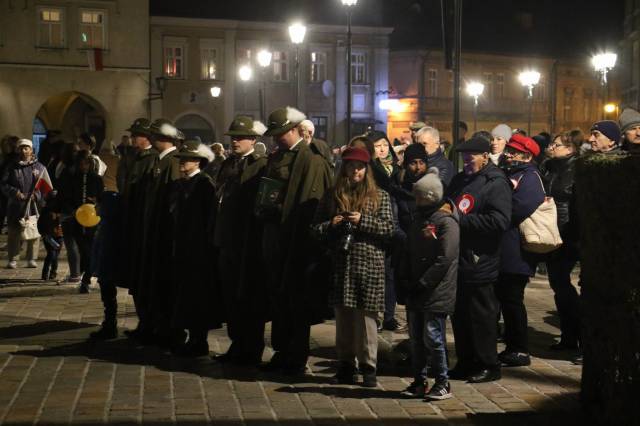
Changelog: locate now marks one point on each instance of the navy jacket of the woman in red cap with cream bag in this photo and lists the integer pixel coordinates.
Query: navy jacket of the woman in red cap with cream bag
(528, 194)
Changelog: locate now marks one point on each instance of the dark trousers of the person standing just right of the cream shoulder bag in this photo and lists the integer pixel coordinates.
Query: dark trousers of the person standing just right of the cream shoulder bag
(566, 298)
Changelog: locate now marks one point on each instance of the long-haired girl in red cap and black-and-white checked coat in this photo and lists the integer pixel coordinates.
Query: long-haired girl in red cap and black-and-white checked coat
(355, 219)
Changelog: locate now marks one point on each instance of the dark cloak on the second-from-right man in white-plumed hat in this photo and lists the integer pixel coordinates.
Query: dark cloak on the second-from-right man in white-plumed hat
(238, 235)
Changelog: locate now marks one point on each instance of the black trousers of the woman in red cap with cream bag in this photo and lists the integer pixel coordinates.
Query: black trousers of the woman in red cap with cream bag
(510, 292)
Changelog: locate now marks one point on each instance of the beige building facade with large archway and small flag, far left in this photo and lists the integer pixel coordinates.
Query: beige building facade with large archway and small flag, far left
(71, 67)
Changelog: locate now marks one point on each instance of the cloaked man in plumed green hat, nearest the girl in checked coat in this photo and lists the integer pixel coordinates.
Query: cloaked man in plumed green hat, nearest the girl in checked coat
(303, 177)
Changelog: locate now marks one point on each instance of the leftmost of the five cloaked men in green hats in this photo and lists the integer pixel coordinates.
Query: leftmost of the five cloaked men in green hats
(134, 200)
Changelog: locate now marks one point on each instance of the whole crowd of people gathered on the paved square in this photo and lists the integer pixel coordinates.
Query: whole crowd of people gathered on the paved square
(300, 234)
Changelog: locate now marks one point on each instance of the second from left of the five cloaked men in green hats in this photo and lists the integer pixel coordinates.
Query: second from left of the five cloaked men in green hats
(155, 271)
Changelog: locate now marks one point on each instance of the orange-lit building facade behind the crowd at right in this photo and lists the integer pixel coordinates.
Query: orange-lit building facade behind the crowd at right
(568, 96)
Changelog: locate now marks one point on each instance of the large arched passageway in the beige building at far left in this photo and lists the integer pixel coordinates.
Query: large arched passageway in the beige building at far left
(70, 114)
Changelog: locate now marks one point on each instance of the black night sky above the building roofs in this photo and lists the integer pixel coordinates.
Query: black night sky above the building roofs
(559, 28)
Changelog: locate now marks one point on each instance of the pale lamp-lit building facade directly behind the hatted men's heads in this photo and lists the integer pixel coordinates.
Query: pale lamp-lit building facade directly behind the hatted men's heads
(190, 56)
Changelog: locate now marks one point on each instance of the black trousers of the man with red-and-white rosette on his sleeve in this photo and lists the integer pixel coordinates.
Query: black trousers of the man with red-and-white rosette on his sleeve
(474, 326)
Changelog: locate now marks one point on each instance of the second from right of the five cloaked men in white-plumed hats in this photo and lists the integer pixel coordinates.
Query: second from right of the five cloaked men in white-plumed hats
(238, 236)
